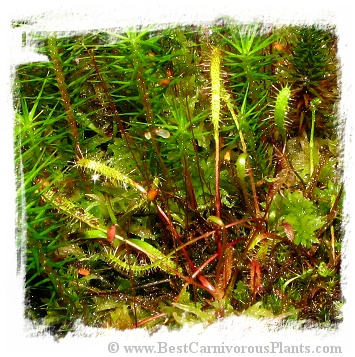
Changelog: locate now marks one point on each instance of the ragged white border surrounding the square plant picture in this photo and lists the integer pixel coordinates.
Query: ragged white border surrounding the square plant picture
(80, 16)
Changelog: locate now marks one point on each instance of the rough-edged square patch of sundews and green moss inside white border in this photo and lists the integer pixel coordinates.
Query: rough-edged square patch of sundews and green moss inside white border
(181, 175)
